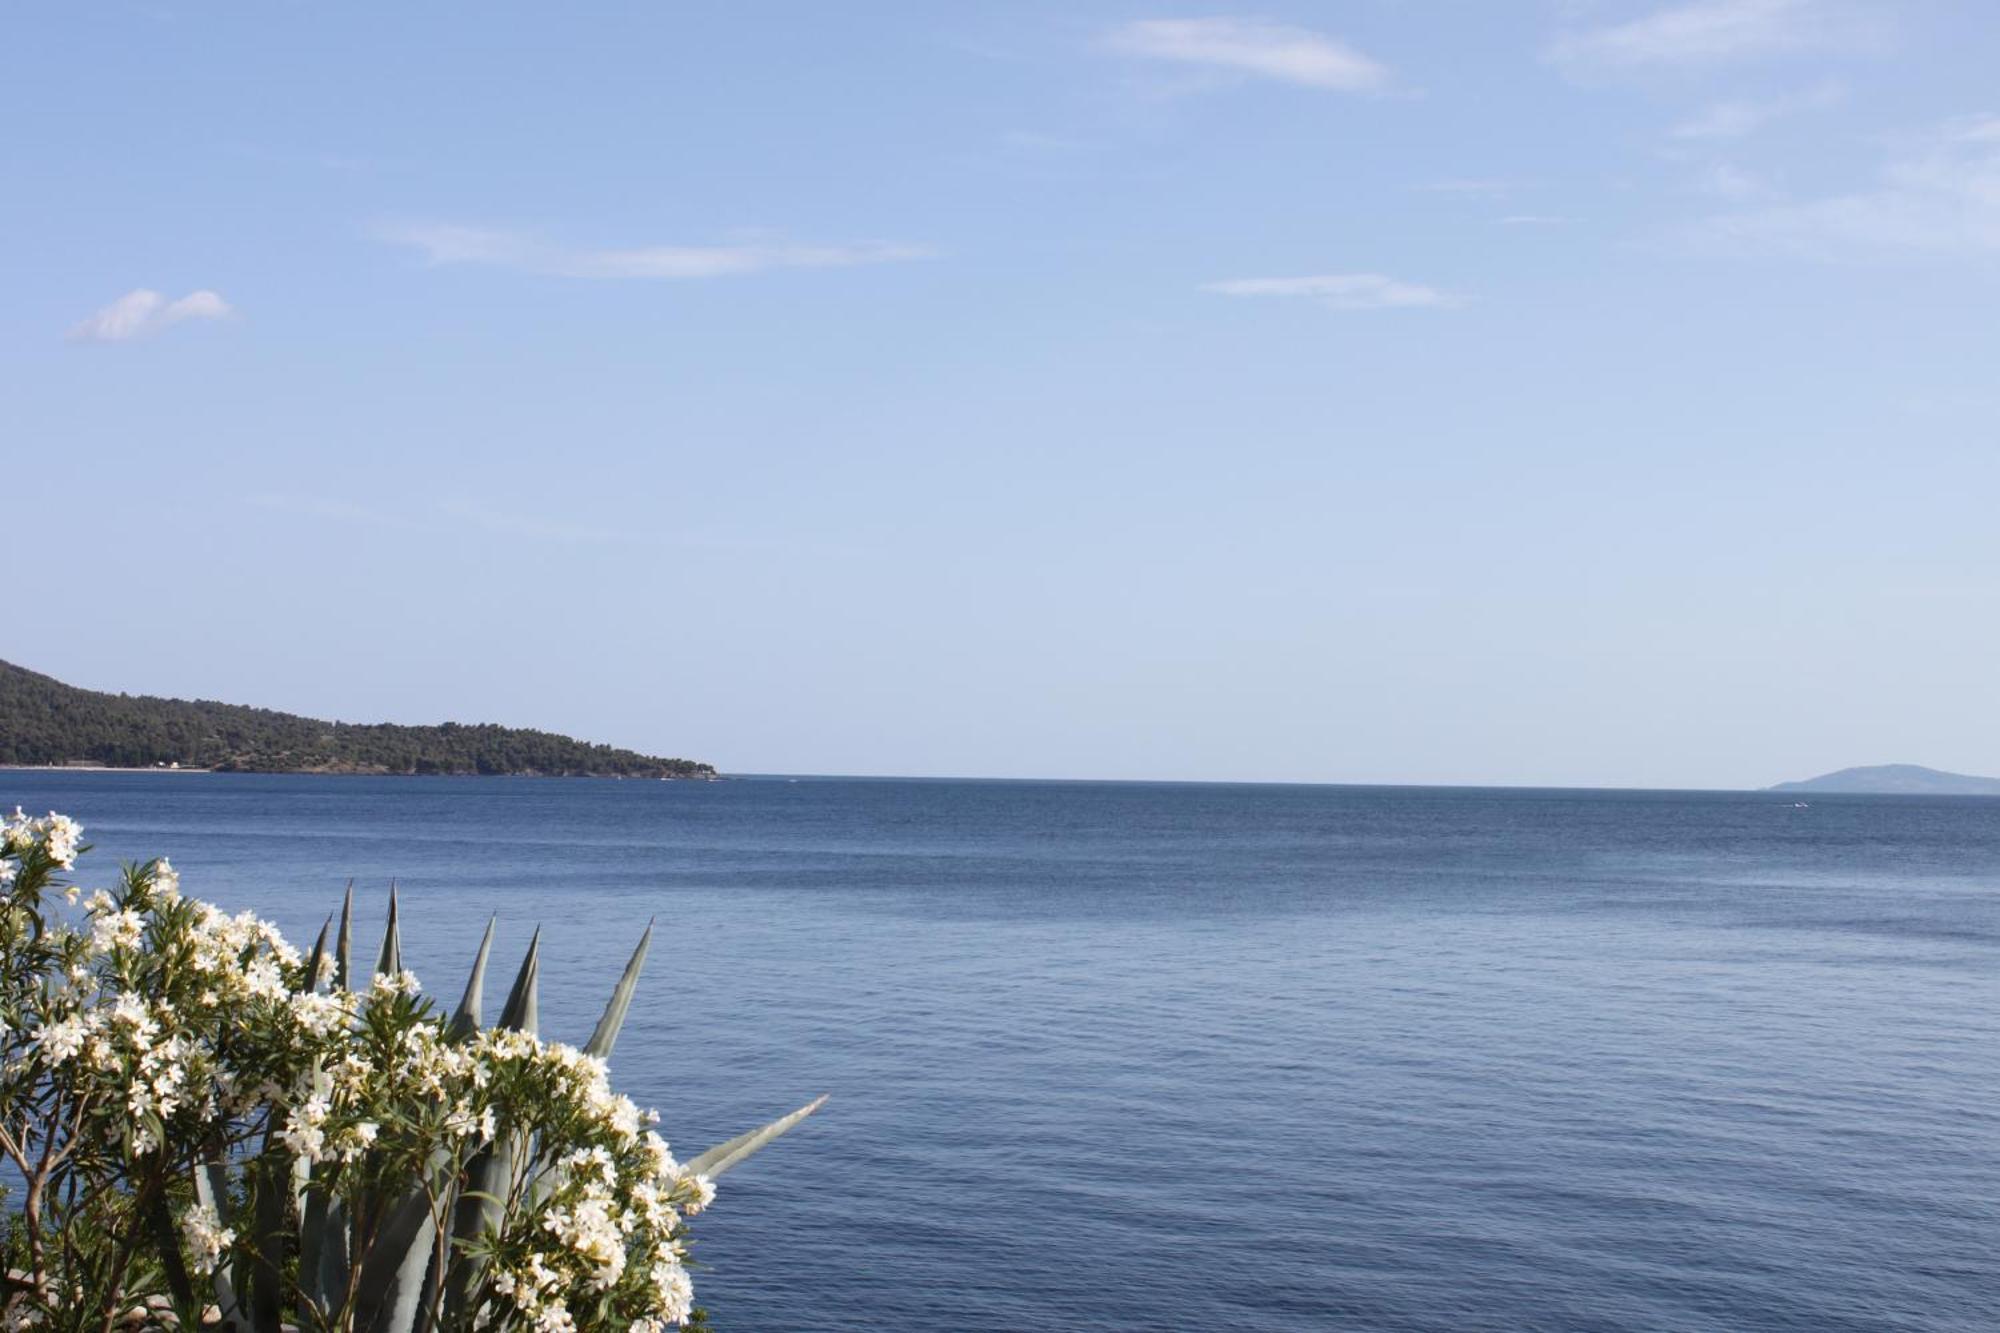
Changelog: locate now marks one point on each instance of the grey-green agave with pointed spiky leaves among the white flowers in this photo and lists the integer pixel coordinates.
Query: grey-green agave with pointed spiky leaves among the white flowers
(415, 1248)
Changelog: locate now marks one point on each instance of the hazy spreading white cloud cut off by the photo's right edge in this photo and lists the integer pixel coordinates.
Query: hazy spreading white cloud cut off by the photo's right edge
(1937, 195)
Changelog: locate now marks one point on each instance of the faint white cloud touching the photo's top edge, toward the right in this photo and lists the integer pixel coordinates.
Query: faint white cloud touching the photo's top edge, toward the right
(1709, 33)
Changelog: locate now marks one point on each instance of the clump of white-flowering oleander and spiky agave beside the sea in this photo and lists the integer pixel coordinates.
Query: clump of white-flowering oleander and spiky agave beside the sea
(205, 1128)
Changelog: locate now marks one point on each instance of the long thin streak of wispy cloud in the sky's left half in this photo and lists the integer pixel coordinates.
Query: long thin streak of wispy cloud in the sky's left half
(449, 243)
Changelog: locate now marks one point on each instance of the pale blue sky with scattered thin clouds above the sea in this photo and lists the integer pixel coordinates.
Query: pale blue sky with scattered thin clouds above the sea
(1351, 391)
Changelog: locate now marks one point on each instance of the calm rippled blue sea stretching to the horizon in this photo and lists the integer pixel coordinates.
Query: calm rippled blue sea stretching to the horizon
(1229, 1058)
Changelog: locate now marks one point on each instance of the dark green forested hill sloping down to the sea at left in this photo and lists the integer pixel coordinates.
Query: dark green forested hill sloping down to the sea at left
(45, 722)
